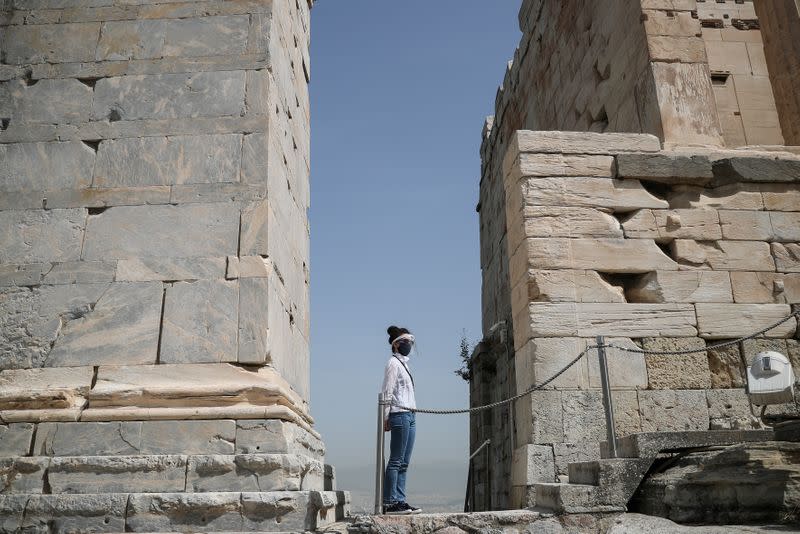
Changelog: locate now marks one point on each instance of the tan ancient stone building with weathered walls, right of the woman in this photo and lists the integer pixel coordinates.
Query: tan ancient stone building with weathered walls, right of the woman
(640, 181)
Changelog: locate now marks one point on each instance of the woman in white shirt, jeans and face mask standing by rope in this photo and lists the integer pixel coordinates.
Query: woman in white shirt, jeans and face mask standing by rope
(398, 390)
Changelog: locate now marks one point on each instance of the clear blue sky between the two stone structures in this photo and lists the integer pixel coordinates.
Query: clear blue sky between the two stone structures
(399, 93)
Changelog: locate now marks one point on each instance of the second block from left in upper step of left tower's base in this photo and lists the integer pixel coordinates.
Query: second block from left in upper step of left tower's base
(117, 474)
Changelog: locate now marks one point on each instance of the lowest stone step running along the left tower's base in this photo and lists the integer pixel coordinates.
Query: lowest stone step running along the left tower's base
(288, 511)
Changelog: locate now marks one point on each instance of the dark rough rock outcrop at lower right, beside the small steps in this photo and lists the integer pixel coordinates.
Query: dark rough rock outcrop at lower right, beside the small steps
(749, 482)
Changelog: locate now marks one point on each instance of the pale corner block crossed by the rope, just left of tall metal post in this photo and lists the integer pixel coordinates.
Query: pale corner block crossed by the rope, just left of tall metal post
(541, 358)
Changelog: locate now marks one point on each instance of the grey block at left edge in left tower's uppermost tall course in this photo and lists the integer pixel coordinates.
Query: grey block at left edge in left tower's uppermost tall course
(50, 43)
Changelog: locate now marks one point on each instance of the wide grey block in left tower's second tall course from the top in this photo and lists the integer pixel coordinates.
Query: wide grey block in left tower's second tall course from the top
(169, 96)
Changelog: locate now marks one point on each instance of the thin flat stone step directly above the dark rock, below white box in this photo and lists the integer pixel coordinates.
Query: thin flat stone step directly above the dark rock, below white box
(650, 444)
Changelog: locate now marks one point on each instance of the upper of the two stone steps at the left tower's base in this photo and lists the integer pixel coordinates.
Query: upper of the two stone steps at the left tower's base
(161, 473)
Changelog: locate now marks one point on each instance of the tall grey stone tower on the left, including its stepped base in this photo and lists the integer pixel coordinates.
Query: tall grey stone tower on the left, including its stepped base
(154, 164)
